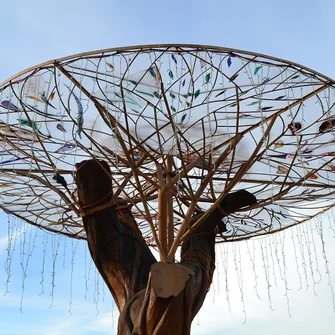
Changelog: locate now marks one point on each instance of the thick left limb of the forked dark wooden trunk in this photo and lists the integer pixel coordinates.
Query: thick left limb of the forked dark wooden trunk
(115, 242)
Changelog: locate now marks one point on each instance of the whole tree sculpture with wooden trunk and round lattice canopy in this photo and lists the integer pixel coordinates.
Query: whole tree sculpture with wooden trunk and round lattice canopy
(163, 146)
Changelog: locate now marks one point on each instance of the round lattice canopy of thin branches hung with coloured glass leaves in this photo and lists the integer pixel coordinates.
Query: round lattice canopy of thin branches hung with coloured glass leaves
(182, 122)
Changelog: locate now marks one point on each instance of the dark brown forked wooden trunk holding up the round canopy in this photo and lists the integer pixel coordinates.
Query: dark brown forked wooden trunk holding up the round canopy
(124, 260)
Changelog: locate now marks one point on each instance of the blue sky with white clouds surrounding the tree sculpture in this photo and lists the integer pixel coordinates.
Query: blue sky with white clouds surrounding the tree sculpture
(292, 299)
